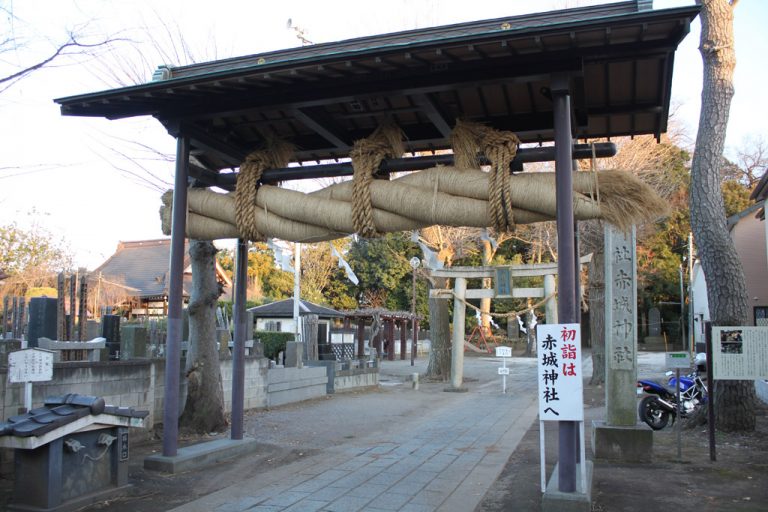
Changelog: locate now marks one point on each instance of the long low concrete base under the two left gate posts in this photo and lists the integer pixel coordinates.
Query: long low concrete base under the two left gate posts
(199, 455)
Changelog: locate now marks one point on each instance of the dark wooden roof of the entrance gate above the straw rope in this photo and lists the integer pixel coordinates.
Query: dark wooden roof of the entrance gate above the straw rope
(618, 59)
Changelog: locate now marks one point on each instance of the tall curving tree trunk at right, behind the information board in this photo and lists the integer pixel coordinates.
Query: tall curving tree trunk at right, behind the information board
(726, 288)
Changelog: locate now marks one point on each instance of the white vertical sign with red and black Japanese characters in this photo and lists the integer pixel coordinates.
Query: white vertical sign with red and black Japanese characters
(561, 395)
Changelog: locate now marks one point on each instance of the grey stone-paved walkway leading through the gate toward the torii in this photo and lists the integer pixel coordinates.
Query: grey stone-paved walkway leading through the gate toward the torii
(445, 460)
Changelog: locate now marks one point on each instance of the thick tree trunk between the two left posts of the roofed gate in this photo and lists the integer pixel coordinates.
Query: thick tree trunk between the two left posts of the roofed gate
(204, 408)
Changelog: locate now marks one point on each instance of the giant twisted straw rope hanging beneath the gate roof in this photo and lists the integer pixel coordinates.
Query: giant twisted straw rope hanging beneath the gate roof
(443, 195)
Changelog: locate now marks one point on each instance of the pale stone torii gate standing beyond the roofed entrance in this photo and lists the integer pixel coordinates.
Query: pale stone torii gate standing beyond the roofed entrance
(502, 276)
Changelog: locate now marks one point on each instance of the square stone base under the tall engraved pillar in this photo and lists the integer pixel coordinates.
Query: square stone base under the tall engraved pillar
(626, 444)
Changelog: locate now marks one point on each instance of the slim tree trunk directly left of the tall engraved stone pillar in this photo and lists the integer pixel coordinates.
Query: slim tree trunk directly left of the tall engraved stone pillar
(597, 316)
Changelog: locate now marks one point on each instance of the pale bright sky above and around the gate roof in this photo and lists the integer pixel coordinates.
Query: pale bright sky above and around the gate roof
(72, 177)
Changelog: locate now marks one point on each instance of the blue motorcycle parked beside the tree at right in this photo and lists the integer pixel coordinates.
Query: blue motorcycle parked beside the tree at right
(660, 404)
